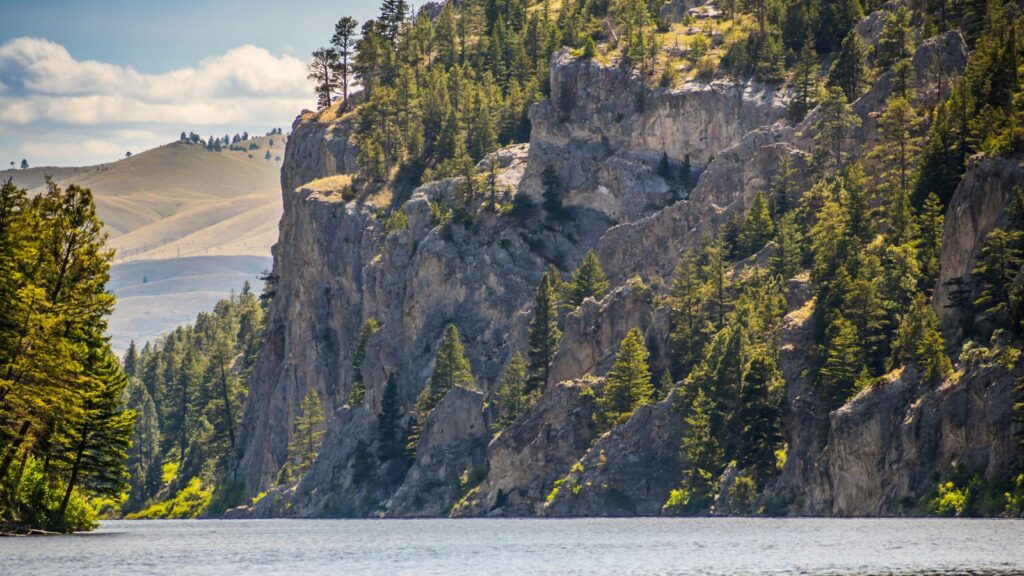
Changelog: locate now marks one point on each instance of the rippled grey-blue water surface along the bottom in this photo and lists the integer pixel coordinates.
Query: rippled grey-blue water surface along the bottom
(475, 548)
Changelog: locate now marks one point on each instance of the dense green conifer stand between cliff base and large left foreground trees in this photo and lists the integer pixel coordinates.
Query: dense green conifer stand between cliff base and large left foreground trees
(189, 390)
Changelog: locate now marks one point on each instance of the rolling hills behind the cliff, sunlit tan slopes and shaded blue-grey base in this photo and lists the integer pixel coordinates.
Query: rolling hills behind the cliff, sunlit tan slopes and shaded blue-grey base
(189, 226)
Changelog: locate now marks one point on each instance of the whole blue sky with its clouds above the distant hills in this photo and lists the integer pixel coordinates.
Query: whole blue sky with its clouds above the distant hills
(84, 81)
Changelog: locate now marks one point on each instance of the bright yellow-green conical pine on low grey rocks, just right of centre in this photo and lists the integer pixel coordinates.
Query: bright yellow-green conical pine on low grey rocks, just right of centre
(628, 385)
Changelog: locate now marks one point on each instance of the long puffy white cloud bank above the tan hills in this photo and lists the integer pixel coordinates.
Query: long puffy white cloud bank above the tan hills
(45, 84)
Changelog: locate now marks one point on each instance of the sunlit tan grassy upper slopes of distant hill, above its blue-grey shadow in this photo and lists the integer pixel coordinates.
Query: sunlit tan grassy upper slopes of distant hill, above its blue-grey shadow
(172, 195)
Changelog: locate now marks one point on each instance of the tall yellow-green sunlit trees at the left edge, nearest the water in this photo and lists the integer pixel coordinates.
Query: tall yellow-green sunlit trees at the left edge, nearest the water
(65, 432)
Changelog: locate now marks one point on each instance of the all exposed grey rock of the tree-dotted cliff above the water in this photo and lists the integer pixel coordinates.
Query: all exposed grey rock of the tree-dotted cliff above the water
(604, 137)
